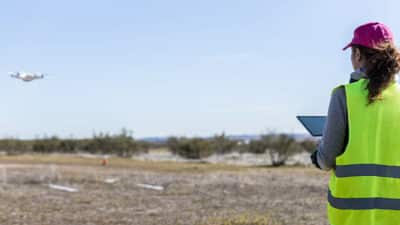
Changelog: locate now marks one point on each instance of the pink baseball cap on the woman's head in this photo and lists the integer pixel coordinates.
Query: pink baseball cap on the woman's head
(371, 35)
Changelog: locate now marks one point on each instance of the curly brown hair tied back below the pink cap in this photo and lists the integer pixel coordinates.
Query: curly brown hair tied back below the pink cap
(381, 66)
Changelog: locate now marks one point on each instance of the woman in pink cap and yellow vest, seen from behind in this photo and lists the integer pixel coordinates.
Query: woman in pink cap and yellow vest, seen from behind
(361, 141)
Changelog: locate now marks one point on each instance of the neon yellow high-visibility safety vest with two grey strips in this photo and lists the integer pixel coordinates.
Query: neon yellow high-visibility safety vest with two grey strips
(364, 188)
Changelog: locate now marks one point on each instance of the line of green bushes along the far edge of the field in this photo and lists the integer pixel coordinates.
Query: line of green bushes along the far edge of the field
(278, 146)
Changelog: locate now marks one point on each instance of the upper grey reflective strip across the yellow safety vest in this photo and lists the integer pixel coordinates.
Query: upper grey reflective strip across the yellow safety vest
(368, 170)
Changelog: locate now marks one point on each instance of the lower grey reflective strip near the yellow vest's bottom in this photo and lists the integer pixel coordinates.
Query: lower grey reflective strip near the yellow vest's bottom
(363, 203)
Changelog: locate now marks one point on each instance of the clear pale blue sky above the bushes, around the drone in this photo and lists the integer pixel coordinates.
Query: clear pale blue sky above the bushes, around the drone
(184, 68)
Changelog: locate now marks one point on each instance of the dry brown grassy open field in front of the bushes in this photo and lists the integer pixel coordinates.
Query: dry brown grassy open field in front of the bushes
(193, 194)
